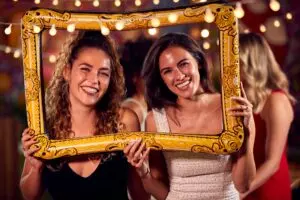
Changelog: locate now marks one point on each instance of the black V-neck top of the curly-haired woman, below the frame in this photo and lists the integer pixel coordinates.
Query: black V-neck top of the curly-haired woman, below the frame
(108, 181)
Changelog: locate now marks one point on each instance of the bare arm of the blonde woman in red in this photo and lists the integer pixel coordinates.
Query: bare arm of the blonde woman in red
(278, 115)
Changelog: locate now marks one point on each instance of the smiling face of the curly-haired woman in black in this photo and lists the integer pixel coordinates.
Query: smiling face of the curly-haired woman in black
(88, 77)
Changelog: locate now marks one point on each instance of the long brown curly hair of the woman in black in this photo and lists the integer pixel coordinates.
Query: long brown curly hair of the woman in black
(57, 101)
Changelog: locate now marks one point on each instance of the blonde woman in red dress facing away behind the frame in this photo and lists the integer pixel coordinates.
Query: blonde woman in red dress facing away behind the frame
(268, 90)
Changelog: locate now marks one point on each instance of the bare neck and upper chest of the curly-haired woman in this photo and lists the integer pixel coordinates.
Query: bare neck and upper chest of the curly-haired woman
(83, 121)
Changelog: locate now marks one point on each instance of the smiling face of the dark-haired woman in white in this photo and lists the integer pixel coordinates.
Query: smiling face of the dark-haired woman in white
(179, 70)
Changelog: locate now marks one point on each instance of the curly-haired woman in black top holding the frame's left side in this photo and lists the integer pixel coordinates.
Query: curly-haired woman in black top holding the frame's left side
(82, 100)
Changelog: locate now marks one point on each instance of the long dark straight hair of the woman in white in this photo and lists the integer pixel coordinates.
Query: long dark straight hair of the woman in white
(157, 93)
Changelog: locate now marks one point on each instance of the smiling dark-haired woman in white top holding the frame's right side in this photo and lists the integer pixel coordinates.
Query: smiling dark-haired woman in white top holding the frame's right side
(182, 100)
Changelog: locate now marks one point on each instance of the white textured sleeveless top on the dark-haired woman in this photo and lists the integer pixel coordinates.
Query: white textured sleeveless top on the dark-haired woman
(196, 176)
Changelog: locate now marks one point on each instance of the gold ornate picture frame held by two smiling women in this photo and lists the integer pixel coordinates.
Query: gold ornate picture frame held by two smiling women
(35, 21)
